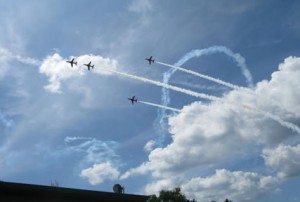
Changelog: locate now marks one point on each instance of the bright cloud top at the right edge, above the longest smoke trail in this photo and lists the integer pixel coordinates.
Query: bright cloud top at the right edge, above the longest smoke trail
(283, 90)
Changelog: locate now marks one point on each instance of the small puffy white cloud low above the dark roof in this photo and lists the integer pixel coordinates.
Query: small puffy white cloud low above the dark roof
(98, 173)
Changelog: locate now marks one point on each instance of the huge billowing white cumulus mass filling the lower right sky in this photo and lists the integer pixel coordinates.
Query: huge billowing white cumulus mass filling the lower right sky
(208, 136)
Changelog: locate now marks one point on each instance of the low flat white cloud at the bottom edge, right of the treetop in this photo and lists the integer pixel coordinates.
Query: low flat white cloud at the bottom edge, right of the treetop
(238, 186)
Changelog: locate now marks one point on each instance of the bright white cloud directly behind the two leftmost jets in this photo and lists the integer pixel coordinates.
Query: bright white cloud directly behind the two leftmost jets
(57, 69)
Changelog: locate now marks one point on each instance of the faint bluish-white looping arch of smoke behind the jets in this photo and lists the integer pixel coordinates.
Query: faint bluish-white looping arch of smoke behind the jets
(160, 122)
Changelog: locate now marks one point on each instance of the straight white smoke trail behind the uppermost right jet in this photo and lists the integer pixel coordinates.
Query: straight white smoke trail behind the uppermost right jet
(219, 81)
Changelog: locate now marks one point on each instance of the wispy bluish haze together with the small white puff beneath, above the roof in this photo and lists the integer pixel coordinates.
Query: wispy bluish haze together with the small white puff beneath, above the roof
(96, 158)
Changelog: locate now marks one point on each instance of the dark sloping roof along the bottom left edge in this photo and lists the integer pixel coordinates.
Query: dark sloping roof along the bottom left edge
(11, 192)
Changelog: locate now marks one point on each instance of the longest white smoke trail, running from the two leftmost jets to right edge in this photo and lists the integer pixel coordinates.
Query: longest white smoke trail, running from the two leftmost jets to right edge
(286, 124)
